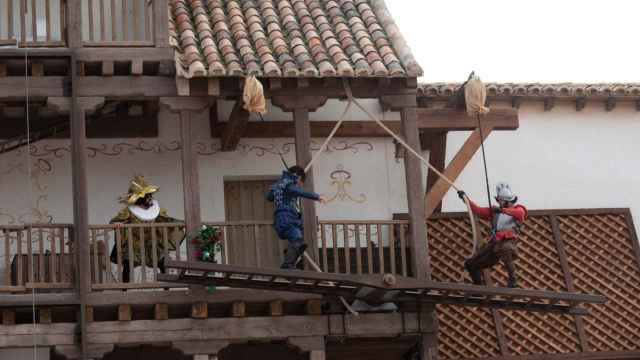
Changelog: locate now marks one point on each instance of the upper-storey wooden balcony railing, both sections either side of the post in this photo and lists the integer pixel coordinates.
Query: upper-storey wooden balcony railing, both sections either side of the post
(102, 23)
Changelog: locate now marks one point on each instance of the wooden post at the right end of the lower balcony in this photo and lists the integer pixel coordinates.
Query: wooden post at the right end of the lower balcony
(413, 172)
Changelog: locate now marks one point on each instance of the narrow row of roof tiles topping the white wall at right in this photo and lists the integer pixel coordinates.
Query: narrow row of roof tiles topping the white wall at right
(533, 90)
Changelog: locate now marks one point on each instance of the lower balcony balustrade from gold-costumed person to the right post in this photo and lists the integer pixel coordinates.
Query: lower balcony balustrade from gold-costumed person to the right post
(351, 247)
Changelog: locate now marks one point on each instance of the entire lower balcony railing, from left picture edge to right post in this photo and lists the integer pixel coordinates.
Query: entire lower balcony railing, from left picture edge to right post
(130, 256)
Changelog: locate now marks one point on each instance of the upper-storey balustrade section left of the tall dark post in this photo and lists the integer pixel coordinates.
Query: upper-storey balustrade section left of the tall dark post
(33, 23)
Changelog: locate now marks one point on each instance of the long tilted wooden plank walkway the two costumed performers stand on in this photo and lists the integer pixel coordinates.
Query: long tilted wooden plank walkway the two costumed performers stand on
(379, 288)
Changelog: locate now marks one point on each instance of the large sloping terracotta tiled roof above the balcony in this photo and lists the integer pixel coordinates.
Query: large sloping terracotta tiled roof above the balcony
(288, 38)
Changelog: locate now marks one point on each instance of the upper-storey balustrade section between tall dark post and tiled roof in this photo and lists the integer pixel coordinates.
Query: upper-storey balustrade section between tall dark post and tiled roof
(117, 23)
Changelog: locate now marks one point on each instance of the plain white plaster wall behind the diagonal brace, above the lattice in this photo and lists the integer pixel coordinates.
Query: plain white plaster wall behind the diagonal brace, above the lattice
(560, 159)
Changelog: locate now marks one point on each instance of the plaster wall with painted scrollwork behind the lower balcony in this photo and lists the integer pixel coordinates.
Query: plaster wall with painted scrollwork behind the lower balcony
(376, 189)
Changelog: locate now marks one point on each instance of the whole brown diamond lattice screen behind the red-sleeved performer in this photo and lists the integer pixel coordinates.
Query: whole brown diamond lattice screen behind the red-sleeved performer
(600, 258)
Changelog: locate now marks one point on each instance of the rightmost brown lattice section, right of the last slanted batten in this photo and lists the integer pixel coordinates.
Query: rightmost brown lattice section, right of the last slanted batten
(602, 260)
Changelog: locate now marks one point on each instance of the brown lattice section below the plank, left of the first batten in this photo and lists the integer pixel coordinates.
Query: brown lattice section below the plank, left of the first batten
(466, 333)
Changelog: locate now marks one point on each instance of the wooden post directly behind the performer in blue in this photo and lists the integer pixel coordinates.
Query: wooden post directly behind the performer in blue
(303, 157)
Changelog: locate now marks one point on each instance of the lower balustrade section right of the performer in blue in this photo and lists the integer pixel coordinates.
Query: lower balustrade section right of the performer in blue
(365, 247)
